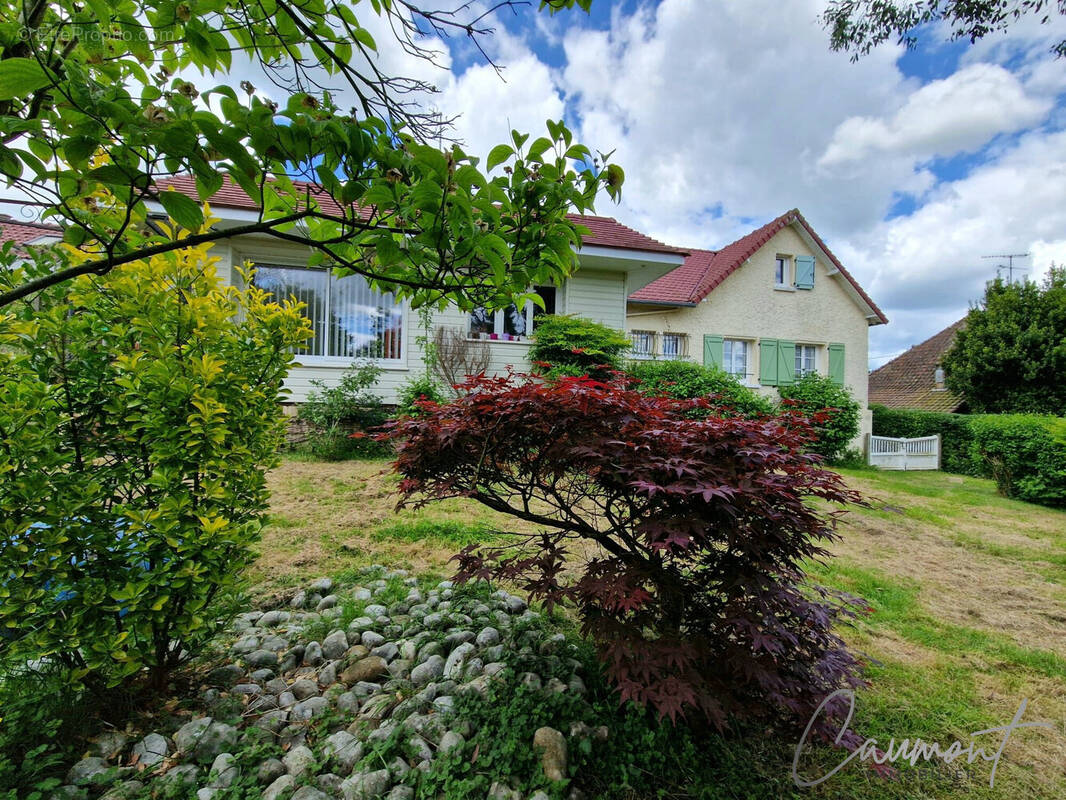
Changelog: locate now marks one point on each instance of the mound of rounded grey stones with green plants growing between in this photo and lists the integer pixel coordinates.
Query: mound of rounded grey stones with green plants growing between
(377, 690)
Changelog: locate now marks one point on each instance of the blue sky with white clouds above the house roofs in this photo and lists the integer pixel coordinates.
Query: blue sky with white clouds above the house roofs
(912, 166)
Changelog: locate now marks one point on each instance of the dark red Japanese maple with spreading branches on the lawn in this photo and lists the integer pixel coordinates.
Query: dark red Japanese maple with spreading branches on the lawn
(693, 590)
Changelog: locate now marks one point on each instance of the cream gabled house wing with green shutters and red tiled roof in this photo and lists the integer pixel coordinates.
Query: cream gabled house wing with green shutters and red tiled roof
(770, 307)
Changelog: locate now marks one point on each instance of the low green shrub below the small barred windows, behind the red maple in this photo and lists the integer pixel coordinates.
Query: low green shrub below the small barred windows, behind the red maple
(687, 381)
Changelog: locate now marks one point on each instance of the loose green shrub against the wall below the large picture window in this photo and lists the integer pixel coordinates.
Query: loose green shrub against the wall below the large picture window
(335, 413)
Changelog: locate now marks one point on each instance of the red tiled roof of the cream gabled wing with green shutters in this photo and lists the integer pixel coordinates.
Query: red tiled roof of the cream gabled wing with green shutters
(704, 270)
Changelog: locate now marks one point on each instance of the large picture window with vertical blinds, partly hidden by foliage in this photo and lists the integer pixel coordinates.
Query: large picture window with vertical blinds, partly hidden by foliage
(350, 319)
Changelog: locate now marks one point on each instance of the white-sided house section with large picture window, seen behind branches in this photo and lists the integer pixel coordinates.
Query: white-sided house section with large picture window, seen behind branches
(354, 324)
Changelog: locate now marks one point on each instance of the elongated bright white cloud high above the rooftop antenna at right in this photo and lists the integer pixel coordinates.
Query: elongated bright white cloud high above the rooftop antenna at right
(960, 114)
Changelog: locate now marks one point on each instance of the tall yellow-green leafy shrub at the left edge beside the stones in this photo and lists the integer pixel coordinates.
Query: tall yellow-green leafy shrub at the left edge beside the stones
(139, 413)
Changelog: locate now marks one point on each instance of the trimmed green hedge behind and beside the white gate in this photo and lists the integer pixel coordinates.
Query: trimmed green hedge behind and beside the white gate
(1025, 454)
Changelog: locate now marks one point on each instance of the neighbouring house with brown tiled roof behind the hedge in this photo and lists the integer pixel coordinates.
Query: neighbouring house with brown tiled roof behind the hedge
(915, 380)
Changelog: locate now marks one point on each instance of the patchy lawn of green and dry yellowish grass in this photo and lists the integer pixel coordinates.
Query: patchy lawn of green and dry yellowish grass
(967, 589)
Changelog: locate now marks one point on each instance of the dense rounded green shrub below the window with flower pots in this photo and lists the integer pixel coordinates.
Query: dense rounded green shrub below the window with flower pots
(576, 347)
